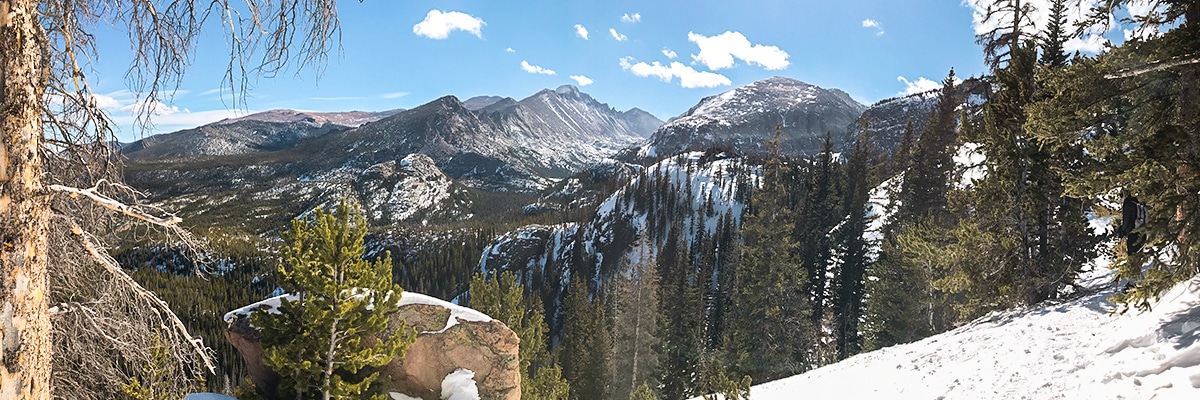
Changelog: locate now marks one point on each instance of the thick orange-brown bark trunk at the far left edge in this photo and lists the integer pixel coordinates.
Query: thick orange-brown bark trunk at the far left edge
(25, 212)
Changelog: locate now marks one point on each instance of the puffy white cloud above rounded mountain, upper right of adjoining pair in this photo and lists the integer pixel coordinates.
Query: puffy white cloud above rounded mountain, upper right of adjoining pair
(718, 52)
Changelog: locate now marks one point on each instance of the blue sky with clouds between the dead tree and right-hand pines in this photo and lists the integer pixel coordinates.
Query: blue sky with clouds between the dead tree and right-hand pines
(401, 55)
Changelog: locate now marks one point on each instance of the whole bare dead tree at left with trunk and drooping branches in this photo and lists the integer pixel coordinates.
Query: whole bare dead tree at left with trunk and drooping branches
(59, 177)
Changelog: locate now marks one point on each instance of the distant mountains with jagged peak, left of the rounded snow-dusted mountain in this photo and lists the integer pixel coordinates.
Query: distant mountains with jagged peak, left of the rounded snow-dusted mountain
(279, 164)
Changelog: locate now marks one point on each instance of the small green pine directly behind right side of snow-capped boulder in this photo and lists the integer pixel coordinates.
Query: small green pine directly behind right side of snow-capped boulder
(503, 298)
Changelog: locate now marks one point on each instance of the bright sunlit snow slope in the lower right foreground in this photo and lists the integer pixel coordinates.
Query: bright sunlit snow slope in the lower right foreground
(1069, 350)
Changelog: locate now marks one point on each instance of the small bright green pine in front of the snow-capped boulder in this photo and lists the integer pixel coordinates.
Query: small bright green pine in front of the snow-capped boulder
(331, 335)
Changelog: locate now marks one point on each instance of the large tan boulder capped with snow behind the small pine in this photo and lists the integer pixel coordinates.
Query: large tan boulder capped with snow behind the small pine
(449, 338)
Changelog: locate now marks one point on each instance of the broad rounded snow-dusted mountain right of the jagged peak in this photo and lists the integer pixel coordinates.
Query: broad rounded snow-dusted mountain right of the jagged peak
(746, 117)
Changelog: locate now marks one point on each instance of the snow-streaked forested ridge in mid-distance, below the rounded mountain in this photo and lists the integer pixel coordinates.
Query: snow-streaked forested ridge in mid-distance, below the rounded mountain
(693, 194)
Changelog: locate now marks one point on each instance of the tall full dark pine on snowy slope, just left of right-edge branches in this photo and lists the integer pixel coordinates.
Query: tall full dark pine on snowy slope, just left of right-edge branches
(1023, 198)
